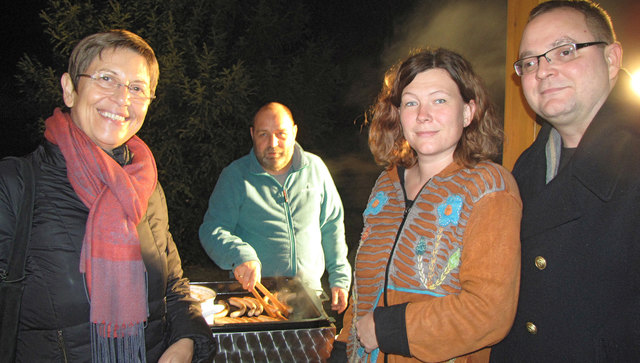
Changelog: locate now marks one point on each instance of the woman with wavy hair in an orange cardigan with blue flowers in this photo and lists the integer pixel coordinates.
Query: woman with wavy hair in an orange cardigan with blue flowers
(437, 269)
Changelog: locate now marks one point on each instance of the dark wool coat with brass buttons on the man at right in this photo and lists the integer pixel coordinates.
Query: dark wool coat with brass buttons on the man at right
(580, 280)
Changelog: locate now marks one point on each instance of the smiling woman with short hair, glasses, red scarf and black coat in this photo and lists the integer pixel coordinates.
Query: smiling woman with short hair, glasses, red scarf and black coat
(103, 277)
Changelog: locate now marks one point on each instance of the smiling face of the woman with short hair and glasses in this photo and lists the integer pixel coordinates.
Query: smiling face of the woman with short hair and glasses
(108, 117)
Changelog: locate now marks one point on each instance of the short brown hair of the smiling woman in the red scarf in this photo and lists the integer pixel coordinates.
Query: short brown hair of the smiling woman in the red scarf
(93, 45)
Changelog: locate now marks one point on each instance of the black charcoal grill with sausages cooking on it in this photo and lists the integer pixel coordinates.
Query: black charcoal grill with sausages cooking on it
(307, 336)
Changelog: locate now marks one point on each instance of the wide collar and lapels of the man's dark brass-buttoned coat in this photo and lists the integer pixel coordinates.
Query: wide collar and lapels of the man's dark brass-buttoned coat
(596, 165)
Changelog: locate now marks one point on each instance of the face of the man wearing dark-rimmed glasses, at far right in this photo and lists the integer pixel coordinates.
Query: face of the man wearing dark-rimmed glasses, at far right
(568, 94)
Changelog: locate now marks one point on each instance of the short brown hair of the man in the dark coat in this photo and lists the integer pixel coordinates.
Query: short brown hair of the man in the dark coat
(597, 19)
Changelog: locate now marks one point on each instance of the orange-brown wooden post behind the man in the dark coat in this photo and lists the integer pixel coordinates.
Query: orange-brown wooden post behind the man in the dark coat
(520, 127)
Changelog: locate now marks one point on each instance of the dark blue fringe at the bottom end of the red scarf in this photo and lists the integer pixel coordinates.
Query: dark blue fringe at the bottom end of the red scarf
(126, 347)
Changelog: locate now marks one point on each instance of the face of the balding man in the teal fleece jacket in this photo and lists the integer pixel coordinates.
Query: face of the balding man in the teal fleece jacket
(274, 138)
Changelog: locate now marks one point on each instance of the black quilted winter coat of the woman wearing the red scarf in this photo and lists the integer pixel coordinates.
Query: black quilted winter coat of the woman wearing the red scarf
(54, 320)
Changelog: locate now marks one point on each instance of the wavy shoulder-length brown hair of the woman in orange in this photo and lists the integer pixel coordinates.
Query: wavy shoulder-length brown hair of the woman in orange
(481, 140)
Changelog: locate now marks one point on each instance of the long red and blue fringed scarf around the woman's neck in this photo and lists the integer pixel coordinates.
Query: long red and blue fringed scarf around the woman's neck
(111, 261)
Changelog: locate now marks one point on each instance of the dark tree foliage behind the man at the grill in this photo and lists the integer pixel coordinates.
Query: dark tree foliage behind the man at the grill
(219, 61)
